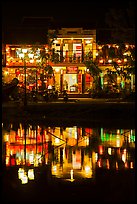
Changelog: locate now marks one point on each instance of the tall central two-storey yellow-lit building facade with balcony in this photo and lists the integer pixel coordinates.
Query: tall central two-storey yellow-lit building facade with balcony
(72, 46)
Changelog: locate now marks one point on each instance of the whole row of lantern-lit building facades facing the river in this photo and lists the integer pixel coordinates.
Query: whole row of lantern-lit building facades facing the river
(70, 49)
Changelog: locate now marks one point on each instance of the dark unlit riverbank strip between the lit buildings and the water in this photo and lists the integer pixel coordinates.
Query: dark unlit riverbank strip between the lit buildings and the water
(101, 112)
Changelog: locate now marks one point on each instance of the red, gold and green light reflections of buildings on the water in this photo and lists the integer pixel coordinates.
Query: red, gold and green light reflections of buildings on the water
(70, 153)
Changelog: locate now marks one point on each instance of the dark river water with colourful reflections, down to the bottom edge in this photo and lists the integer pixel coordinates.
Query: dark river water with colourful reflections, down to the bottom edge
(43, 162)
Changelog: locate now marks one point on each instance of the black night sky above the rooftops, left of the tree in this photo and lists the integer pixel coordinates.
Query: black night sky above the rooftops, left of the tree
(65, 12)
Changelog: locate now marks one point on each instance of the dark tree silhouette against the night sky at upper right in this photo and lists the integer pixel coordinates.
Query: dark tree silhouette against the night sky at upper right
(122, 23)
